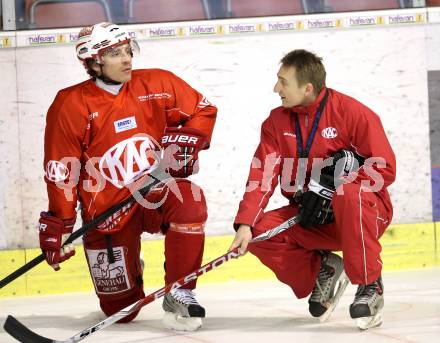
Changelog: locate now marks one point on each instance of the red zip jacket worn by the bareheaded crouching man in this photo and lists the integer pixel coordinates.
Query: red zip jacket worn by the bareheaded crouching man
(345, 124)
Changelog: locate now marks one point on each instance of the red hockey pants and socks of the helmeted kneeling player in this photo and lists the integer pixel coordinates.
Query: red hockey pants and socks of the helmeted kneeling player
(114, 259)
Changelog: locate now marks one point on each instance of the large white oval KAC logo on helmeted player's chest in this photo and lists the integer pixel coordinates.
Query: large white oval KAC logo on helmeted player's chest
(126, 161)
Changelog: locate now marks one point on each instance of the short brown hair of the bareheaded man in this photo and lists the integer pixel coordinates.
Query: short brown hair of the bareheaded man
(308, 67)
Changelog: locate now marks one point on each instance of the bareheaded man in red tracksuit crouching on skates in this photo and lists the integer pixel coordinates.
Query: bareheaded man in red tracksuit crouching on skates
(334, 163)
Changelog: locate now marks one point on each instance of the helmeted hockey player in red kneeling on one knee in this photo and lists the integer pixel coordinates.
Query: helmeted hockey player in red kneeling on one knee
(101, 136)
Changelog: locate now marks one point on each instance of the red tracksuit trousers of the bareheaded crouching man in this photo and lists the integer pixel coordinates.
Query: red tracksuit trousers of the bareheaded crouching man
(360, 220)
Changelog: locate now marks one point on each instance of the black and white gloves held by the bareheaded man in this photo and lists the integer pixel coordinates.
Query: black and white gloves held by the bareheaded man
(315, 205)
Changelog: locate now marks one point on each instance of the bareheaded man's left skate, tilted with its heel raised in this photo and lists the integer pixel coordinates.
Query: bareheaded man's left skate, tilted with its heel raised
(324, 299)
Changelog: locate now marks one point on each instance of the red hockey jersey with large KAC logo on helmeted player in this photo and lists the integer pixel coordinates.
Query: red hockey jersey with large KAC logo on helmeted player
(95, 143)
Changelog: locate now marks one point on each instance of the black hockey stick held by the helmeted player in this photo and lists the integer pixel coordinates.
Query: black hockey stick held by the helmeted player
(156, 179)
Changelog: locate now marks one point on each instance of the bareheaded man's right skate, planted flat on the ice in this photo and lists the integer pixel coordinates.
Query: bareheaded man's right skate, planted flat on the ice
(367, 305)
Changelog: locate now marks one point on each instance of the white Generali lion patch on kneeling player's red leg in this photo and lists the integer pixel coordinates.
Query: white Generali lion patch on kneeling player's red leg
(109, 277)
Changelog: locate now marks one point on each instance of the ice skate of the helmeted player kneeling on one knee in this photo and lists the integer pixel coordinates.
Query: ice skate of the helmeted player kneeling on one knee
(182, 311)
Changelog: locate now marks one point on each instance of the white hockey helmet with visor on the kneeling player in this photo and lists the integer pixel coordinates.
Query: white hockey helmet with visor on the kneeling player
(94, 40)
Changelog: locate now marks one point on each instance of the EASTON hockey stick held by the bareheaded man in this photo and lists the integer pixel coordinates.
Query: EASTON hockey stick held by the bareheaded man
(23, 334)
